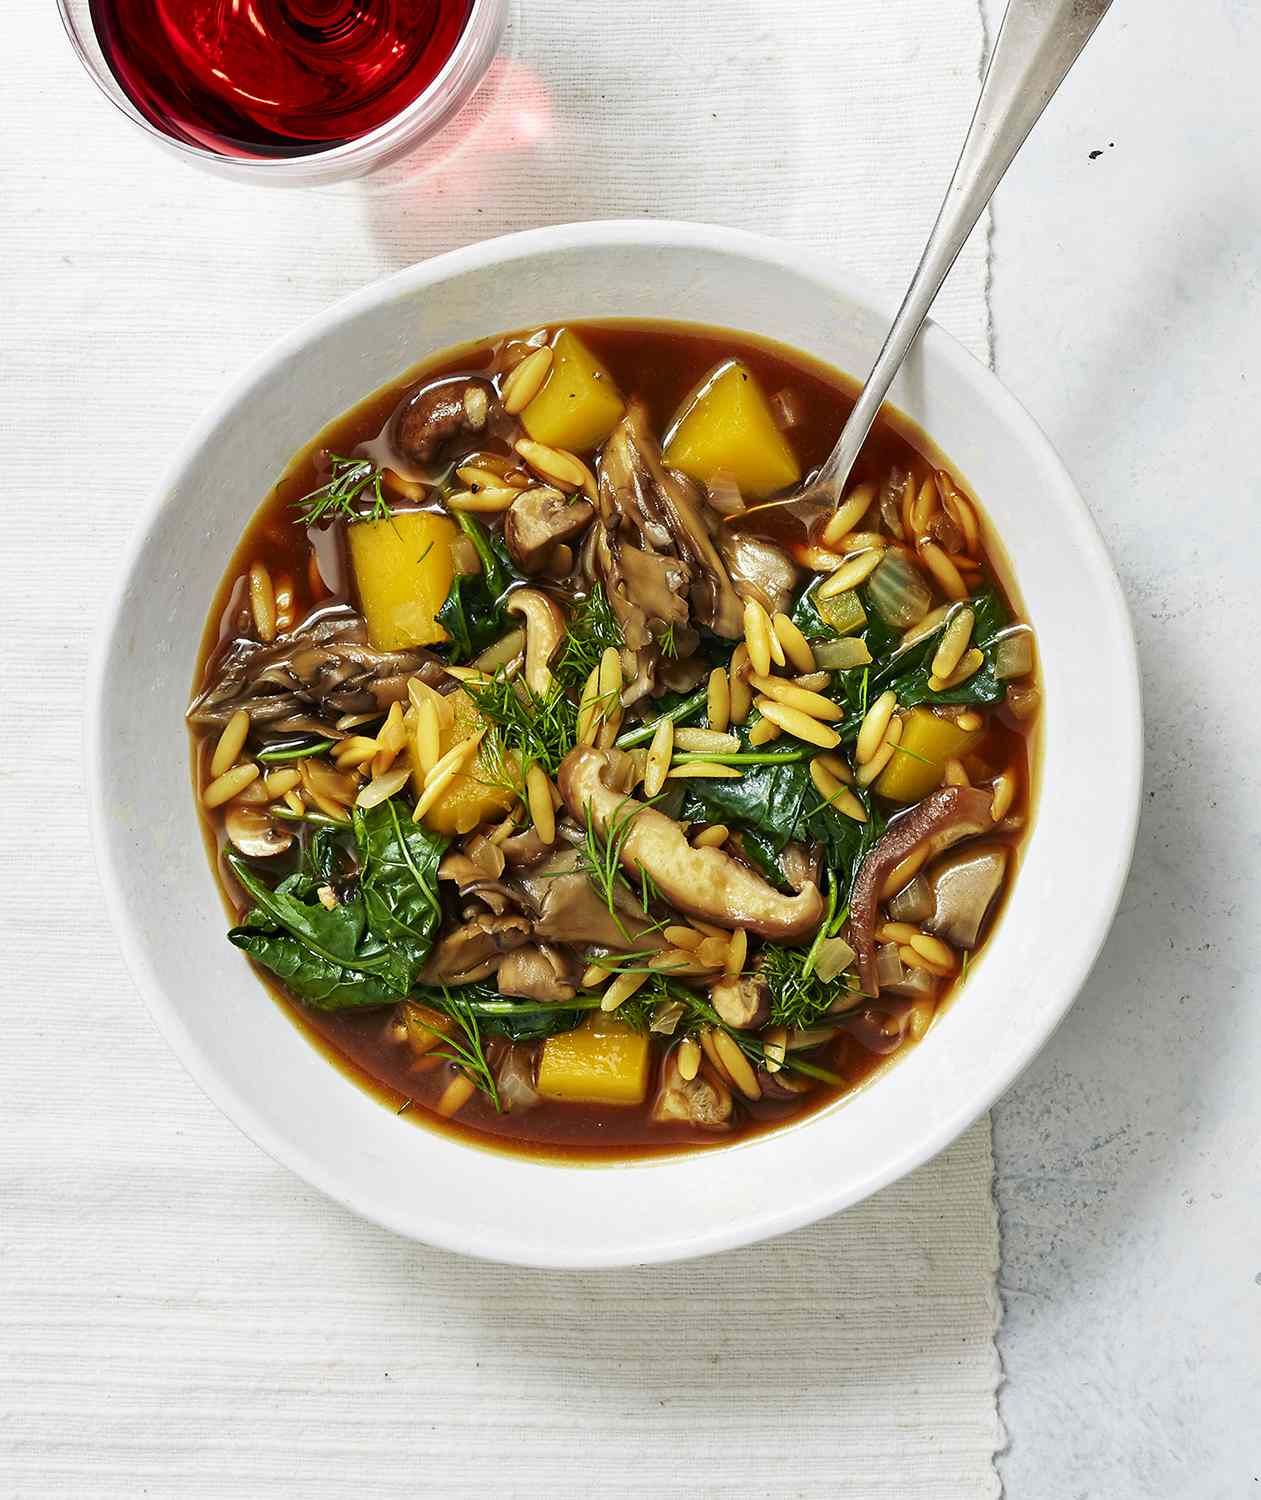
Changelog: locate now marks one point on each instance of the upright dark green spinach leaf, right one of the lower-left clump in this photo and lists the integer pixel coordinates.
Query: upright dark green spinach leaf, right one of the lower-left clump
(398, 881)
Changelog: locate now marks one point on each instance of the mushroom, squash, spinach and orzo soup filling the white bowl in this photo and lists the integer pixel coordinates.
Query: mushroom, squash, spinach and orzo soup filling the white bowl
(580, 779)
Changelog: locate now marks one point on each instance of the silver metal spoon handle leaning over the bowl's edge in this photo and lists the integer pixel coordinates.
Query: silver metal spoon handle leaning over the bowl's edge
(1038, 44)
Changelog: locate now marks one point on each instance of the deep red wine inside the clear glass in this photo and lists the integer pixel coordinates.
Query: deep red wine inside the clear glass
(275, 77)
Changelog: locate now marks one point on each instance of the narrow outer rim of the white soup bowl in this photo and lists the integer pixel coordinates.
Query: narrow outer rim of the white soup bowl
(758, 1225)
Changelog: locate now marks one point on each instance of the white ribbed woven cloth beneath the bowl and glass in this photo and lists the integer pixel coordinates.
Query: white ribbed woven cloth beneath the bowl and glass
(181, 1318)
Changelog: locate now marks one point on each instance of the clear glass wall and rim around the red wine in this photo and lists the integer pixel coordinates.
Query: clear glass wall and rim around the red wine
(424, 118)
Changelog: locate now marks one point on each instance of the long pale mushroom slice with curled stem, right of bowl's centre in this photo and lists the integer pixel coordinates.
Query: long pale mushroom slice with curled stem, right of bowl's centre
(704, 883)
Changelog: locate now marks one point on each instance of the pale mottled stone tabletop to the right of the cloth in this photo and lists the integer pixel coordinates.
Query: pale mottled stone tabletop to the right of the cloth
(1127, 313)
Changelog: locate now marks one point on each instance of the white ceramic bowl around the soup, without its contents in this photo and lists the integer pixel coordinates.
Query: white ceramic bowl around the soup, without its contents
(250, 1057)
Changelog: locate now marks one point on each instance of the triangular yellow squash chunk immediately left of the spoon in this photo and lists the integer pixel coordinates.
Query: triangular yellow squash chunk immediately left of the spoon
(726, 427)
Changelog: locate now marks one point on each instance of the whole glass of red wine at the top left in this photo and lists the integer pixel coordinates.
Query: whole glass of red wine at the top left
(295, 92)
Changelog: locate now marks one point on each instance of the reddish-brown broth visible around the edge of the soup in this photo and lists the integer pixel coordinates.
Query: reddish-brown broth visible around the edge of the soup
(660, 364)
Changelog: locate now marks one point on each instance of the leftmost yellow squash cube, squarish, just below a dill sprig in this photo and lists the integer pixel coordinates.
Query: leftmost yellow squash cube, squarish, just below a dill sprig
(403, 572)
